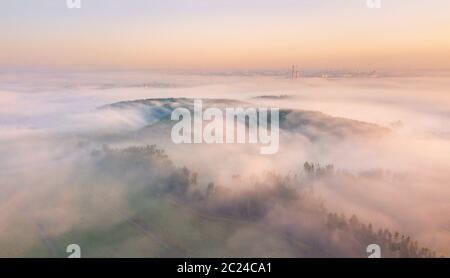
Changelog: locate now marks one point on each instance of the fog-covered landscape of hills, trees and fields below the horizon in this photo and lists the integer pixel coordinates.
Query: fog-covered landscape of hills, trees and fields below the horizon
(87, 158)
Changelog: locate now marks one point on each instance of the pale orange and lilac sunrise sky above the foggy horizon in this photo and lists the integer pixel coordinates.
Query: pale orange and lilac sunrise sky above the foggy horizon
(225, 34)
